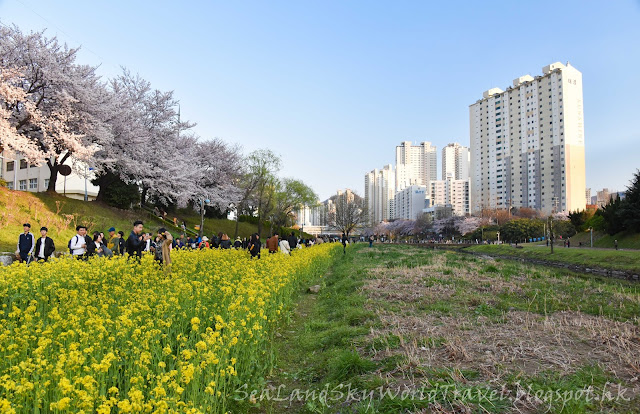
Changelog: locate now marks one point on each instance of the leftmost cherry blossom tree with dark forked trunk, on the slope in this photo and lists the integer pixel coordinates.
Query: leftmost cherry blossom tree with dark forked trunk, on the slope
(64, 106)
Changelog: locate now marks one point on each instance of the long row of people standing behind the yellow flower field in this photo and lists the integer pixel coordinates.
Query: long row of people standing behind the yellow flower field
(83, 245)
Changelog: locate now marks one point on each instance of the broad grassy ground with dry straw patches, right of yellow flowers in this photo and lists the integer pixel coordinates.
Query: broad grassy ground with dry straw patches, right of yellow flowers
(403, 329)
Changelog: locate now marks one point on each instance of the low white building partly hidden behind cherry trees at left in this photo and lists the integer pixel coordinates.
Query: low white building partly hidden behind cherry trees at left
(20, 175)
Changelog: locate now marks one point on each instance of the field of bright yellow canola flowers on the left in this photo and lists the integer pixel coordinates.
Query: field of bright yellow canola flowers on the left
(113, 336)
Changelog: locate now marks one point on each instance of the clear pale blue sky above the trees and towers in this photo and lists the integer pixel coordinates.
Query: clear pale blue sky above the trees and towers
(334, 86)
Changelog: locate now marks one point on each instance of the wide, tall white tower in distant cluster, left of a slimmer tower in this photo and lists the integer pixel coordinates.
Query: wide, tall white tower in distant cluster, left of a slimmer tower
(415, 164)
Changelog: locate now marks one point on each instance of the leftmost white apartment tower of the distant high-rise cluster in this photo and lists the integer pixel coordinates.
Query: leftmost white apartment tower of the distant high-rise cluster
(379, 191)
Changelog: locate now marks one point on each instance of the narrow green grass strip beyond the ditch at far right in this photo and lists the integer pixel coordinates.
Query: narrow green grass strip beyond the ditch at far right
(607, 259)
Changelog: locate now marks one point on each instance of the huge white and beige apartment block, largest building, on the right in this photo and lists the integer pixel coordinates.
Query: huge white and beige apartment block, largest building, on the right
(527, 143)
